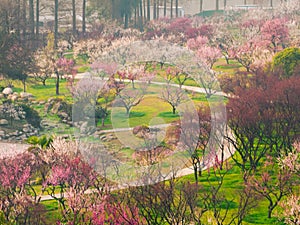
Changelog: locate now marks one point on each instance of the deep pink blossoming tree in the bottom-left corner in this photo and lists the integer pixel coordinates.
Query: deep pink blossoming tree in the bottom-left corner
(19, 199)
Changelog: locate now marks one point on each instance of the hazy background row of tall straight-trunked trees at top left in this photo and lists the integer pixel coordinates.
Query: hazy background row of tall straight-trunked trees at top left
(24, 18)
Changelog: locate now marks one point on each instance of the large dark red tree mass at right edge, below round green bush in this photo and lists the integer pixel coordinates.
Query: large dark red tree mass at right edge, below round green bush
(265, 118)
